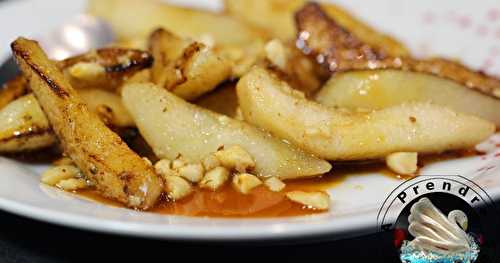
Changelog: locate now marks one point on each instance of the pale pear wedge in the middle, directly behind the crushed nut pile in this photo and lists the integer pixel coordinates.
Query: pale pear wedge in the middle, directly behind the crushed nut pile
(173, 127)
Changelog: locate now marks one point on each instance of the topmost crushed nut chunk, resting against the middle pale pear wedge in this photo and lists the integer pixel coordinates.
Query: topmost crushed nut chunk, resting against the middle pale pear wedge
(235, 157)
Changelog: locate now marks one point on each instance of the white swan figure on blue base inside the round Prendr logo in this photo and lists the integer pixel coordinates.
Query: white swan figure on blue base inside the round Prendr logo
(437, 237)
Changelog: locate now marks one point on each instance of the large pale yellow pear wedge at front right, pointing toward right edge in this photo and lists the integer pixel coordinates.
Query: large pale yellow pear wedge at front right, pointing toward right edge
(335, 134)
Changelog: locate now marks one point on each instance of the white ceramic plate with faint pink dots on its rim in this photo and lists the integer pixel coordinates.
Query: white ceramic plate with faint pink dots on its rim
(468, 30)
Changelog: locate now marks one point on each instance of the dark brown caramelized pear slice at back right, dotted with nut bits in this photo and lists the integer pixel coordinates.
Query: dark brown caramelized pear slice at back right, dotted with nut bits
(339, 50)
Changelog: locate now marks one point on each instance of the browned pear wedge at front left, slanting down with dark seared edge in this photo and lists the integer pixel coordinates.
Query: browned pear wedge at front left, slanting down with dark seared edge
(103, 157)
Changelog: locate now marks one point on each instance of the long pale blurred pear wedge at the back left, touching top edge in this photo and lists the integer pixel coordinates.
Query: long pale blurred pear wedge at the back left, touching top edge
(131, 19)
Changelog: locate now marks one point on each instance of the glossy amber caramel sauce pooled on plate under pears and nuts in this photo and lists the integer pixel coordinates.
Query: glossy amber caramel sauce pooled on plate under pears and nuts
(261, 202)
